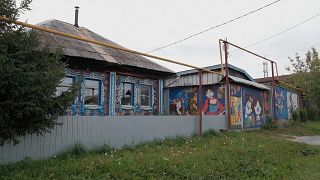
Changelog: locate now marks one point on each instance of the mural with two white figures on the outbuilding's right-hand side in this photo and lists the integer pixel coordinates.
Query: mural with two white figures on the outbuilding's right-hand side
(253, 111)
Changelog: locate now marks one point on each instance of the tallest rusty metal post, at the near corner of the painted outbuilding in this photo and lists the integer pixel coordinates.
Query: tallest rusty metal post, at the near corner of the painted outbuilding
(227, 84)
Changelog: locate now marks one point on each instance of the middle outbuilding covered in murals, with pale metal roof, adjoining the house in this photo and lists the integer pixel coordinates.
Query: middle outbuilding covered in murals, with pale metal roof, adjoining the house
(250, 102)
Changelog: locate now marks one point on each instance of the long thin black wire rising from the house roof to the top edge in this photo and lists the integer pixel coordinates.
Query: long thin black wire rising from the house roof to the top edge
(214, 27)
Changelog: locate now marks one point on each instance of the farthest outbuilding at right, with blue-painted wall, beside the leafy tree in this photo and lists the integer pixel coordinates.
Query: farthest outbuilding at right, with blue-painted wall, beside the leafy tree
(287, 99)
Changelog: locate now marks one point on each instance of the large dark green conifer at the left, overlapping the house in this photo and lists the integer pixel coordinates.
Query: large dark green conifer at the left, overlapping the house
(29, 75)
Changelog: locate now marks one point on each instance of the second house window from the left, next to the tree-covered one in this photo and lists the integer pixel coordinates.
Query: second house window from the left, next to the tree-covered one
(92, 89)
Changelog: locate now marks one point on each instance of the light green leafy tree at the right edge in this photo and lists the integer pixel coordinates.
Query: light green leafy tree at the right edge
(306, 75)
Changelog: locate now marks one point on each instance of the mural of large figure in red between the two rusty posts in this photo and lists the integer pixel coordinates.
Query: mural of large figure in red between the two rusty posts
(213, 103)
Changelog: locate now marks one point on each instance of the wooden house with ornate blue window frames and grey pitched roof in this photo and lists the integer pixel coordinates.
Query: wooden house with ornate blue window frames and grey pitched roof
(113, 82)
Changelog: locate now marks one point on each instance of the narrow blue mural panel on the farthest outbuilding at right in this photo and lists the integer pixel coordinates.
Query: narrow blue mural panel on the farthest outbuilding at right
(281, 103)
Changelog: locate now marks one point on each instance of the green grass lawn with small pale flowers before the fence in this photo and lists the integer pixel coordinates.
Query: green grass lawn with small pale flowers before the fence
(231, 155)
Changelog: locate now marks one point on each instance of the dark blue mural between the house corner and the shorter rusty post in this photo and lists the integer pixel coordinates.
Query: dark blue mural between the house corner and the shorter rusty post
(183, 101)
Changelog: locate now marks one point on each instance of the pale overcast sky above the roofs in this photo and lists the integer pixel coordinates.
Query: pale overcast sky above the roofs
(144, 25)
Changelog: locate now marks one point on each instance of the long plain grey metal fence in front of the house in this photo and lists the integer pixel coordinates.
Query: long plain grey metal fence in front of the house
(96, 131)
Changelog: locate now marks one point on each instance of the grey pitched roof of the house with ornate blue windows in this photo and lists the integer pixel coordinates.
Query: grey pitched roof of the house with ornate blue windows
(77, 48)
